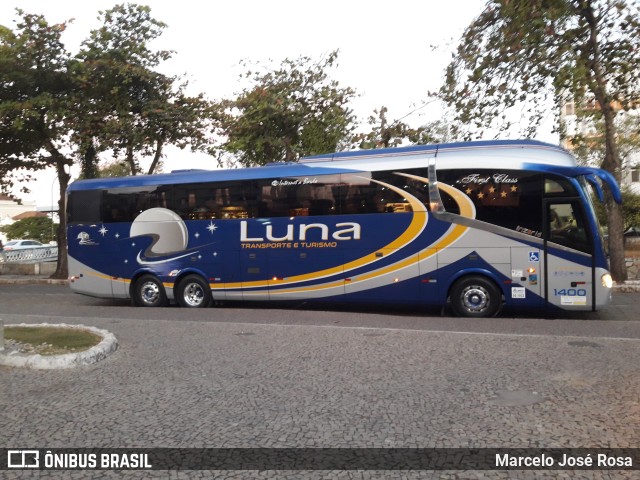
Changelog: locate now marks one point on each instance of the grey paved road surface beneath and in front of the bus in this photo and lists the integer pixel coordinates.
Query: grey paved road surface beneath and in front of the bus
(258, 376)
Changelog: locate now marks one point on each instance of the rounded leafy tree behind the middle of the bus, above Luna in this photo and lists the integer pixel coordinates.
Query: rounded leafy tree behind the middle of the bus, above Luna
(292, 111)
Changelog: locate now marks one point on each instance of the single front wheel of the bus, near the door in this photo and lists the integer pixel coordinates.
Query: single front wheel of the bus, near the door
(475, 296)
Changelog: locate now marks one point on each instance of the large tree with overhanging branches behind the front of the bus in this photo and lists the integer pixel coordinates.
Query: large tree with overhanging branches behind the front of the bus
(518, 56)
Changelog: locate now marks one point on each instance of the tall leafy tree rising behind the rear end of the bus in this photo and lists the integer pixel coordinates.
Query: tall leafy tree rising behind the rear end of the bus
(129, 108)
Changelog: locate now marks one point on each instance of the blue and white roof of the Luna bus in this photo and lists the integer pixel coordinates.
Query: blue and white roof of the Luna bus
(505, 154)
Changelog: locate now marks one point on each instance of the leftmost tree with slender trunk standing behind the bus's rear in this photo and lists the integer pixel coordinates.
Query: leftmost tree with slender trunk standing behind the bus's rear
(36, 101)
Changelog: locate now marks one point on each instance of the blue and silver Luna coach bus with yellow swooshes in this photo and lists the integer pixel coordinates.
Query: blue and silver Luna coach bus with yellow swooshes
(474, 226)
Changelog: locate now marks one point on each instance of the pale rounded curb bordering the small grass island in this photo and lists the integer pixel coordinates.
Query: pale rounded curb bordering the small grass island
(107, 346)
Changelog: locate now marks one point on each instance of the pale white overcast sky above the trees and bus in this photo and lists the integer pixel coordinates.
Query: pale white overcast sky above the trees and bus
(385, 47)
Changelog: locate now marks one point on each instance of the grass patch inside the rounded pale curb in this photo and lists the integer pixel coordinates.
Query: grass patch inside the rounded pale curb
(52, 340)
